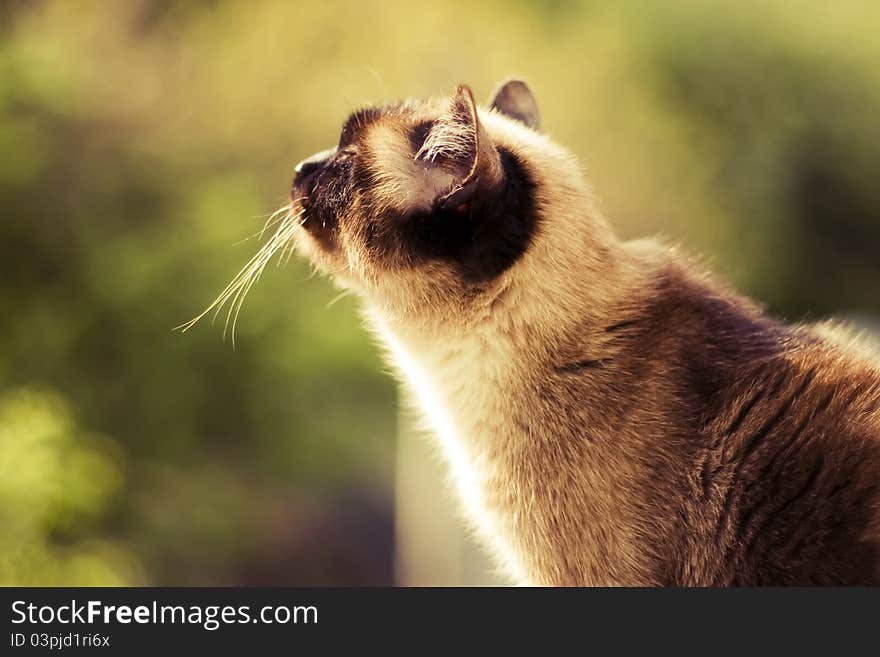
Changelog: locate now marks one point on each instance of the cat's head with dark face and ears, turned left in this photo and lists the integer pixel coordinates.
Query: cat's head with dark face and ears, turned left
(429, 205)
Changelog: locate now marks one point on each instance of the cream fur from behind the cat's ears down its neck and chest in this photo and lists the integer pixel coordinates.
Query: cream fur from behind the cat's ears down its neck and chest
(471, 371)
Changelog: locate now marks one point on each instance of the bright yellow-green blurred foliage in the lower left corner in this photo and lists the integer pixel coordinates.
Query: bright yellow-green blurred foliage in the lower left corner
(54, 482)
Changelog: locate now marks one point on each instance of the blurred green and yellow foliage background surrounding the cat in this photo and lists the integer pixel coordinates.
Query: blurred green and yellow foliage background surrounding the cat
(141, 141)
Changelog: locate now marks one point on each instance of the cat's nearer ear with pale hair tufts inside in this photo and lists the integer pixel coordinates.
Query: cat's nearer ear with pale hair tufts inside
(460, 142)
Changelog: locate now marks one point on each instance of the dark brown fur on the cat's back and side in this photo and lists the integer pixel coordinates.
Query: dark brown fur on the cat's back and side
(758, 442)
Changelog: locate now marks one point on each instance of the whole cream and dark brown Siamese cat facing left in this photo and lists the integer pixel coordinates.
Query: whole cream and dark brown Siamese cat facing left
(610, 414)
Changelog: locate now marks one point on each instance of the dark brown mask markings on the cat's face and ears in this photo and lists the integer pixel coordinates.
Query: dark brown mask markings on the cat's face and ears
(482, 222)
